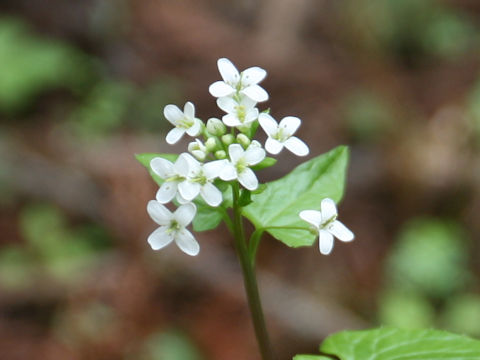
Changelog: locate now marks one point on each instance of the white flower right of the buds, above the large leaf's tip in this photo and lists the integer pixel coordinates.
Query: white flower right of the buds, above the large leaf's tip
(280, 135)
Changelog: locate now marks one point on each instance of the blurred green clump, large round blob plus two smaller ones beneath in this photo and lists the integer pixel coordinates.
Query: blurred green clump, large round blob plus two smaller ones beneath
(428, 278)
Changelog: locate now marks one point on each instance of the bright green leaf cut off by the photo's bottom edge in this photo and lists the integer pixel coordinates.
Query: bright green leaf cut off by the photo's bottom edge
(400, 344)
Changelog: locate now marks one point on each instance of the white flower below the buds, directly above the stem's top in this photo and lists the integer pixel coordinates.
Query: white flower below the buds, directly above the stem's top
(238, 166)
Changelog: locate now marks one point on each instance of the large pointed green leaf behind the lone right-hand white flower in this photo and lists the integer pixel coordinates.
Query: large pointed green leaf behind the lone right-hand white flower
(304, 188)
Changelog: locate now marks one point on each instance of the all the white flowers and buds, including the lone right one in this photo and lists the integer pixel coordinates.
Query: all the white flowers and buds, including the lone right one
(223, 150)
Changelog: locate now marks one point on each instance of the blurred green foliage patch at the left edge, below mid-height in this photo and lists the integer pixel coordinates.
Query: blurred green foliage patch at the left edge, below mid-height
(52, 246)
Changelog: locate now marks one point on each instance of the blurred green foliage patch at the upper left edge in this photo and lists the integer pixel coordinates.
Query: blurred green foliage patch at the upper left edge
(32, 64)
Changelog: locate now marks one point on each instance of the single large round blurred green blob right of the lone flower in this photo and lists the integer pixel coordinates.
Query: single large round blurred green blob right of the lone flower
(430, 257)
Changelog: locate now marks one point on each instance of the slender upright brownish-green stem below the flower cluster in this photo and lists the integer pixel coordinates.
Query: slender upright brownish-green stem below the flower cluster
(249, 279)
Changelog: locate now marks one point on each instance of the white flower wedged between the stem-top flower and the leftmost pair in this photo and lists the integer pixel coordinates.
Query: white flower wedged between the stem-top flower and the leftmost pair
(199, 180)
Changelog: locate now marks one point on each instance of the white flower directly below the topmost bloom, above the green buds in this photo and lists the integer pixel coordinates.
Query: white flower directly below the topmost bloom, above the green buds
(238, 113)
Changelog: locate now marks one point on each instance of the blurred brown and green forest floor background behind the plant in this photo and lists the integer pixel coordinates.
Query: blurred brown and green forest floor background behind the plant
(82, 89)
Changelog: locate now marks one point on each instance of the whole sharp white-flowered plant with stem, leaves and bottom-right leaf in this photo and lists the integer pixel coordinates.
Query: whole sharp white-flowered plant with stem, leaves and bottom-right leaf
(215, 181)
